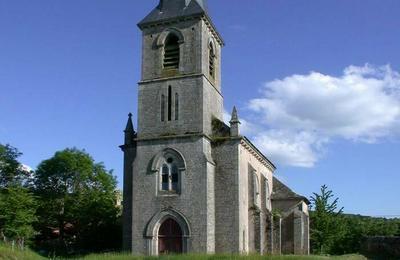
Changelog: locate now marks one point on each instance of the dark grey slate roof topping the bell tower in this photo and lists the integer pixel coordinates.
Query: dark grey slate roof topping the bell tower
(169, 9)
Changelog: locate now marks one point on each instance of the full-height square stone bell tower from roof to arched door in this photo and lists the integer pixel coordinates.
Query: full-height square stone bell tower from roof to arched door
(169, 170)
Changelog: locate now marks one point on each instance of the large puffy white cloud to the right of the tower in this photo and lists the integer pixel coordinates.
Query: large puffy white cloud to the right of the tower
(298, 115)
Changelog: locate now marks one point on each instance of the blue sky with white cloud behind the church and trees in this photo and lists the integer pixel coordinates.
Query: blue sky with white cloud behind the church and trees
(316, 84)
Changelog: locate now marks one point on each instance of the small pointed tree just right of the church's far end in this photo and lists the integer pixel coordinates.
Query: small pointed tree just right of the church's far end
(326, 226)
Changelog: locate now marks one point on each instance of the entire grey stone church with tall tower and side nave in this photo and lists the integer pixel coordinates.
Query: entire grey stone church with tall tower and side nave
(193, 184)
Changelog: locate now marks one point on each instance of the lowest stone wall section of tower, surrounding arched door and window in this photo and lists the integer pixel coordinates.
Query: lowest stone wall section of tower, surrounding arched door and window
(193, 202)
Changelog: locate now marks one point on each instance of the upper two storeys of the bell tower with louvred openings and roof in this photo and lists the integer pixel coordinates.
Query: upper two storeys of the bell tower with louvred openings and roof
(180, 87)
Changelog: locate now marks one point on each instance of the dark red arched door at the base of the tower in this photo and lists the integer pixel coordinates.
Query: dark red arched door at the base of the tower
(170, 237)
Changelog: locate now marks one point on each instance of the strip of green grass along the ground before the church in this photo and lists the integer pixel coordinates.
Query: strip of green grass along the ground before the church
(6, 253)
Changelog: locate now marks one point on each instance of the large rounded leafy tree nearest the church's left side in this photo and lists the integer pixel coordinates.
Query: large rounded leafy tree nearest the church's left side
(77, 199)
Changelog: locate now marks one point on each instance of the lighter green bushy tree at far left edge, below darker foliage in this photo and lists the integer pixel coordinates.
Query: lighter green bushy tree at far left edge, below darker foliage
(17, 214)
